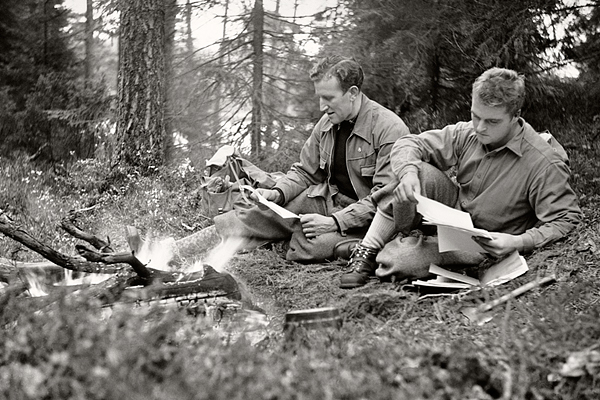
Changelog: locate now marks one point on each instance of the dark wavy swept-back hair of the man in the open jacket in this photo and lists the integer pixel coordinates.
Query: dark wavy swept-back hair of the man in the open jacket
(347, 71)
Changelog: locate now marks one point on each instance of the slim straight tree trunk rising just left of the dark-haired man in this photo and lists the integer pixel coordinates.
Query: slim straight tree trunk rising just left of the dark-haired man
(257, 44)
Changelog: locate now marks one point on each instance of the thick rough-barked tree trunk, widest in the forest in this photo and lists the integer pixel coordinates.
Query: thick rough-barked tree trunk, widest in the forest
(141, 108)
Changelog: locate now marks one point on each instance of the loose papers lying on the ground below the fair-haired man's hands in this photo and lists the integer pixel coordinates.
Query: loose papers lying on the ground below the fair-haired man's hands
(505, 270)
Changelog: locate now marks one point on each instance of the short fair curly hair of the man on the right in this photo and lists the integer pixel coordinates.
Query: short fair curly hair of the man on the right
(501, 87)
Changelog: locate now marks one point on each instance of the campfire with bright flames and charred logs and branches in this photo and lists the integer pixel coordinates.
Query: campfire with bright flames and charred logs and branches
(150, 271)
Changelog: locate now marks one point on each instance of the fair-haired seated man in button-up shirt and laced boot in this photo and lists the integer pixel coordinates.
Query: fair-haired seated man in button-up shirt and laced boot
(509, 179)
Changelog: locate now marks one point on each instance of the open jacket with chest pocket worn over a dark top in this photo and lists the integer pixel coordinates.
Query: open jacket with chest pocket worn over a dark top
(367, 158)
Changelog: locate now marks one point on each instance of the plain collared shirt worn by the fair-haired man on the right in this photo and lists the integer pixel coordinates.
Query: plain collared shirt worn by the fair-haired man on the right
(521, 188)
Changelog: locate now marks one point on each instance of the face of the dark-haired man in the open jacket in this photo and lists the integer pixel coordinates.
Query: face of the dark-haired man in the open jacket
(332, 100)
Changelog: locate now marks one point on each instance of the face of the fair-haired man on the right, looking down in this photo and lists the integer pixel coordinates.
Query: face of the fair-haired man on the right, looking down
(494, 126)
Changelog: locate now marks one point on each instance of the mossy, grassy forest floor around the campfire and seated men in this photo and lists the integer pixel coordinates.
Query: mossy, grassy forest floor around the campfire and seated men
(393, 343)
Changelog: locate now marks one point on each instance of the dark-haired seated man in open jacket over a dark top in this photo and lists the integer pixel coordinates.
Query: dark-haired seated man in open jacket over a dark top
(343, 162)
